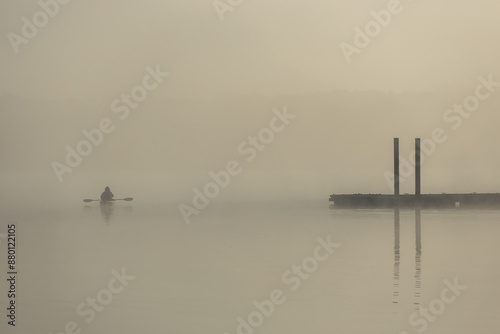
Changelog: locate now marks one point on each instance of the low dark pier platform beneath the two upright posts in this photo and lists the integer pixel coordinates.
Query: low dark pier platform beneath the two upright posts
(417, 201)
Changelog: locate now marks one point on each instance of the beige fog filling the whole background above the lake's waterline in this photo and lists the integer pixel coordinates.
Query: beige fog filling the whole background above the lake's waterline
(225, 78)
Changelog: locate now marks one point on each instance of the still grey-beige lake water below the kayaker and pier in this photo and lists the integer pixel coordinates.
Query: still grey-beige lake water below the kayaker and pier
(201, 278)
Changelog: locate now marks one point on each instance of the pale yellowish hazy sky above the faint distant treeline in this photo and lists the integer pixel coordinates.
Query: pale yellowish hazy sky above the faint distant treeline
(99, 48)
